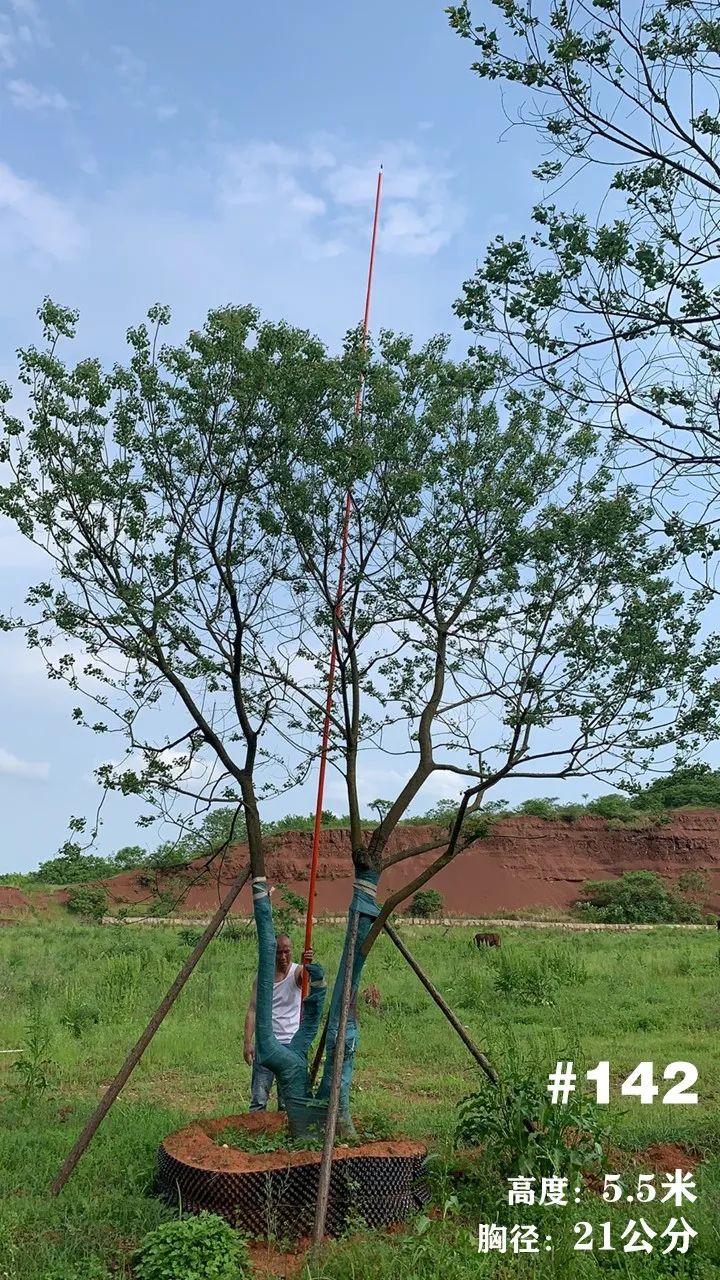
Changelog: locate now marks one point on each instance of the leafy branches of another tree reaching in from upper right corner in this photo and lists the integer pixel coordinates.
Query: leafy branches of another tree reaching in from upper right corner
(613, 313)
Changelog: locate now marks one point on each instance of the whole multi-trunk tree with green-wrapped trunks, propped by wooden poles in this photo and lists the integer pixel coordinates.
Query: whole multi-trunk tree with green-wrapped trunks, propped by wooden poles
(507, 610)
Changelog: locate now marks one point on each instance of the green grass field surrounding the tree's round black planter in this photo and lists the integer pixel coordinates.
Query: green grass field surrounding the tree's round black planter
(76, 998)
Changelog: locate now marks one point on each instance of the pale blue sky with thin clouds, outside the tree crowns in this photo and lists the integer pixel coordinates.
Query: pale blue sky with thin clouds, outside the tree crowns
(206, 154)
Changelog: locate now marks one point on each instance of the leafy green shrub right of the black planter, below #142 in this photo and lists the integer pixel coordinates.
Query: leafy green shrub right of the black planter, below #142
(562, 1140)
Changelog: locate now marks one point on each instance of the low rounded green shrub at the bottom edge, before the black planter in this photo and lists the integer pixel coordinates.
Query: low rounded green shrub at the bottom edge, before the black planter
(193, 1249)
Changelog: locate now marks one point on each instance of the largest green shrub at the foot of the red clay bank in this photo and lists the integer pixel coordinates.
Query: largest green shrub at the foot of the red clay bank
(636, 898)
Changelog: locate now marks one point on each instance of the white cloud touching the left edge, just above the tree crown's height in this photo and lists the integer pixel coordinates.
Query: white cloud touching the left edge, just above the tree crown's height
(31, 218)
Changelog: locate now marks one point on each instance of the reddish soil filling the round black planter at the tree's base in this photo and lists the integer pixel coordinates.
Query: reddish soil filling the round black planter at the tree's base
(195, 1146)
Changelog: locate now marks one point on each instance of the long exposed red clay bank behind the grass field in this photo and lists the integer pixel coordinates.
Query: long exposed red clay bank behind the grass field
(526, 862)
